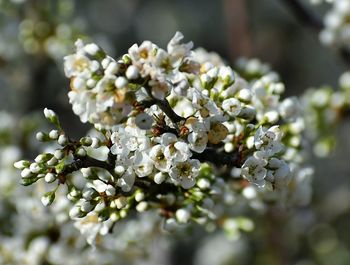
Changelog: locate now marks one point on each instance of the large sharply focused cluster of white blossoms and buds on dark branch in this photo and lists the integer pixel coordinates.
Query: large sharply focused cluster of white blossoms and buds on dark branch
(176, 131)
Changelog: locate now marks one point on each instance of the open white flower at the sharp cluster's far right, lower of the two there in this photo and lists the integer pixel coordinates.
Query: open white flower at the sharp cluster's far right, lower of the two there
(254, 170)
